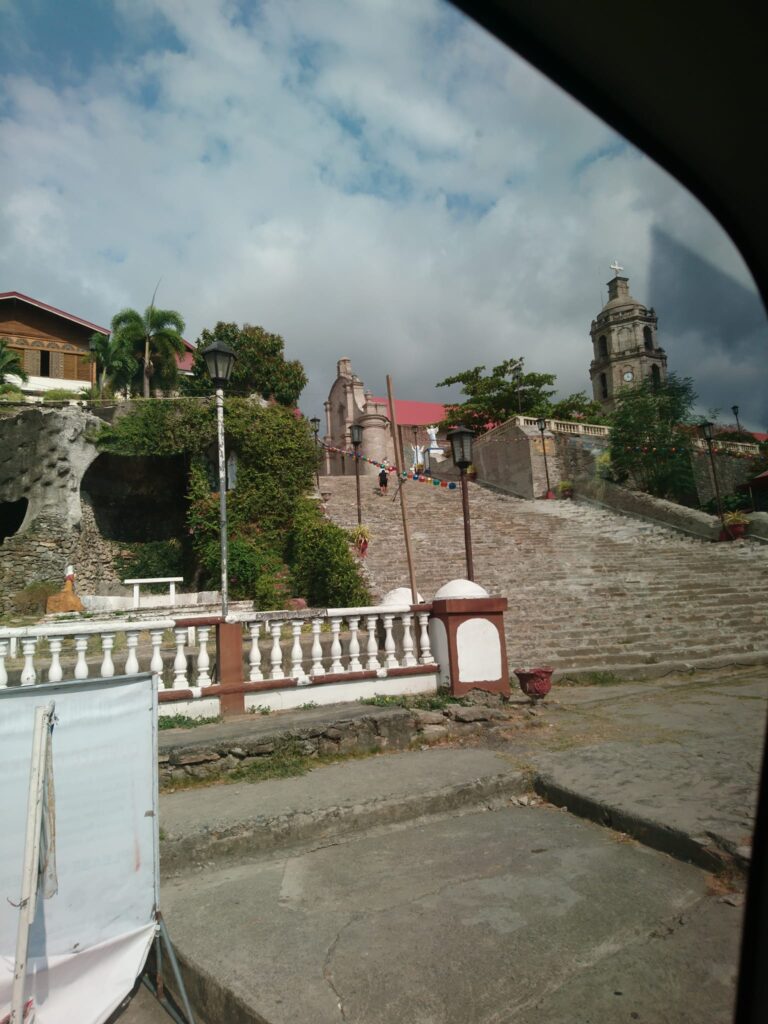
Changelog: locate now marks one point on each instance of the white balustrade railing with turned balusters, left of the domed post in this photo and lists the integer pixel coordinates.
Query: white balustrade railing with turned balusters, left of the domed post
(301, 646)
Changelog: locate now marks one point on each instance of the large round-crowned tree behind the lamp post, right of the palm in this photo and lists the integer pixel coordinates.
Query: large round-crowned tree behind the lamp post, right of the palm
(261, 367)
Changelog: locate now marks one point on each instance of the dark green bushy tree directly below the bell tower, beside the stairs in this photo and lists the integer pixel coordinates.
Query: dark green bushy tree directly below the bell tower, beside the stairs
(651, 438)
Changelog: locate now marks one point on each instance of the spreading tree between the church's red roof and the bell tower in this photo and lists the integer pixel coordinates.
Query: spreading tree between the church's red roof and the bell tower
(494, 398)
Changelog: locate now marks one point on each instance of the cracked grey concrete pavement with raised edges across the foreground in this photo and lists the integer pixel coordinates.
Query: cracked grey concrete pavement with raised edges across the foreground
(484, 909)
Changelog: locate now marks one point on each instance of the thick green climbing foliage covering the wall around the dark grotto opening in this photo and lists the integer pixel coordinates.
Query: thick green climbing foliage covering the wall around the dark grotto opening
(280, 544)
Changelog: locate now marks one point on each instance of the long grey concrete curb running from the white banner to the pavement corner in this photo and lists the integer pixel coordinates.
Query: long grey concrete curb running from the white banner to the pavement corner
(258, 835)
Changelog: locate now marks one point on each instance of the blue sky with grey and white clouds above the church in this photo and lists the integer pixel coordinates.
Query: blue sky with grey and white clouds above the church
(372, 179)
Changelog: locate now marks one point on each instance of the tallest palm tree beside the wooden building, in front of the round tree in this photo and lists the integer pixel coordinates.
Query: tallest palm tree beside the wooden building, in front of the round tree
(155, 340)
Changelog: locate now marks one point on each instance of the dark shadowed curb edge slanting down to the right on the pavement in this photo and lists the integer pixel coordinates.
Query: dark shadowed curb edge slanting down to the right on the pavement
(711, 852)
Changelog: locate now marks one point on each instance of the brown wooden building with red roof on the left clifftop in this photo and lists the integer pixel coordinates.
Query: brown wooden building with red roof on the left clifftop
(54, 346)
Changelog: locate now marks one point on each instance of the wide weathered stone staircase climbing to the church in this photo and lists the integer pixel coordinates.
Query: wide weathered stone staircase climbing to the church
(587, 588)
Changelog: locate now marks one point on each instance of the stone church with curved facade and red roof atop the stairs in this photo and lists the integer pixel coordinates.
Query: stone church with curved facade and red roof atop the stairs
(350, 403)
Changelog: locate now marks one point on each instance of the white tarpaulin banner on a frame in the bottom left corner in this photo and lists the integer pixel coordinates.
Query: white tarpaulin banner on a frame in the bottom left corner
(90, 942)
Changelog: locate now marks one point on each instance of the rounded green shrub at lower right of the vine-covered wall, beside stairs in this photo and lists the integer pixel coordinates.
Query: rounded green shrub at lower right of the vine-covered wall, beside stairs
(325, 571)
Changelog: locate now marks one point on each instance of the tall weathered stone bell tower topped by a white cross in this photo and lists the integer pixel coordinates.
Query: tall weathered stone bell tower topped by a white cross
(624, 343)
